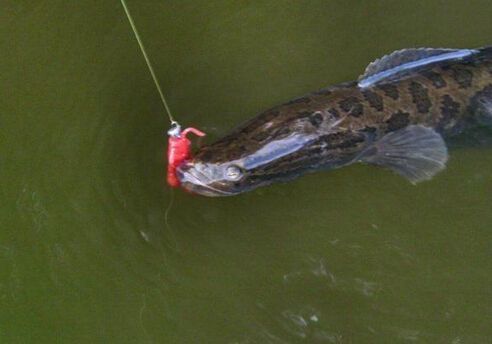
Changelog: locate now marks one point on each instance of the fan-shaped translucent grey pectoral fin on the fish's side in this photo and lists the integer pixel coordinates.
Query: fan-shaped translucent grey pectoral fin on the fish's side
(415, 152)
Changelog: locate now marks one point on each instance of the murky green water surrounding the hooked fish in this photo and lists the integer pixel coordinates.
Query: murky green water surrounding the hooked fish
(357, 255)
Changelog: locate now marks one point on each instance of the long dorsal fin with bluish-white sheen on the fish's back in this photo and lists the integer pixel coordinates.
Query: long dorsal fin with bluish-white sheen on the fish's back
(403, 60)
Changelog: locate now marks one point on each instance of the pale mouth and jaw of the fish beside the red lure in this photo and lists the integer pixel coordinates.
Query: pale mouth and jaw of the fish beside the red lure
(197, 183)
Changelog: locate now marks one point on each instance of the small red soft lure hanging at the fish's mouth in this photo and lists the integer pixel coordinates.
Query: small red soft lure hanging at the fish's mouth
(178, 150)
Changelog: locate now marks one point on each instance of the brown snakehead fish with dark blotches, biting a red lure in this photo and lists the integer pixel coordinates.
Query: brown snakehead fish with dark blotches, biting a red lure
(400, 114)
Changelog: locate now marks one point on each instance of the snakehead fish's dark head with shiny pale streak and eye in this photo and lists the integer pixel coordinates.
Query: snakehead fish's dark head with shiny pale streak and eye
(256, 154)
